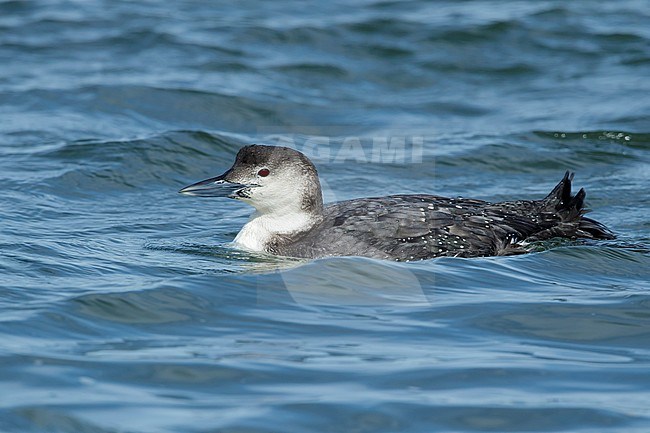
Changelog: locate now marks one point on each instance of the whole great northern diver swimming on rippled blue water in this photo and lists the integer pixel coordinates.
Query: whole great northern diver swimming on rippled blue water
(290, 218)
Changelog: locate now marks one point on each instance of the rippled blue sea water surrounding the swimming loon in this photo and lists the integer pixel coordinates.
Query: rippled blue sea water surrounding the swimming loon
(123, 308)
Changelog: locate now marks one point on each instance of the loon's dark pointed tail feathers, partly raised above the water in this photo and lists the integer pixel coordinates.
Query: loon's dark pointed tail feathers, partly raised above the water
(571, 209)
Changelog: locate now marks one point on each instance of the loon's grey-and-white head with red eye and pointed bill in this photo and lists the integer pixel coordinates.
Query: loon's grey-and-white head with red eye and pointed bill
(270, 178)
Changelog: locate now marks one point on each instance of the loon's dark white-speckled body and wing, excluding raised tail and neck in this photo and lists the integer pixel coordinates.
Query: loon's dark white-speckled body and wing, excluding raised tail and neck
(412, 227)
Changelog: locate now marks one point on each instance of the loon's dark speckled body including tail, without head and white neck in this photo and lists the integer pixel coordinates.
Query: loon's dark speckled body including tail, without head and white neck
(416, 227)
